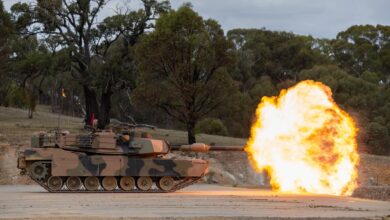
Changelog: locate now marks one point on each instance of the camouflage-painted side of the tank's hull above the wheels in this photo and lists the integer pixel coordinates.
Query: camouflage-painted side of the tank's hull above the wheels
(70, 163)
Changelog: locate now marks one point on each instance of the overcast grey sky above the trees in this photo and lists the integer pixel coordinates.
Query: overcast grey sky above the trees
(319, 18)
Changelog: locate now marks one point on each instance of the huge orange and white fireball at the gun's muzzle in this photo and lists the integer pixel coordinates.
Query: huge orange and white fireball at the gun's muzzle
(305, 142)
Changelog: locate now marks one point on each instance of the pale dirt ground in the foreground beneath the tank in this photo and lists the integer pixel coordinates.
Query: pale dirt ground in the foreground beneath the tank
(195, 202)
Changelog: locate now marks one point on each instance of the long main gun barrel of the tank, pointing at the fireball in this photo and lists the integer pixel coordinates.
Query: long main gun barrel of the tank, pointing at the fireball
(200, 147)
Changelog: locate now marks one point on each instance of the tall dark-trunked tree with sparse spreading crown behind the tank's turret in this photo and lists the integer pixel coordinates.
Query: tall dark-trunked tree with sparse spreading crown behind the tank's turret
(75, 23)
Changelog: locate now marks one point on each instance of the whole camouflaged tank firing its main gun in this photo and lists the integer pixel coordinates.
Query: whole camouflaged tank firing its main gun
(111, 162)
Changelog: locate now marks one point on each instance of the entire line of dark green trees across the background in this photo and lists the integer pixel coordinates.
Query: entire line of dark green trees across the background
(174, 69)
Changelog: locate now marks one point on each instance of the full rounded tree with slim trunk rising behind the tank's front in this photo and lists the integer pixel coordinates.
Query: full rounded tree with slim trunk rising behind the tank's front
(182, 67)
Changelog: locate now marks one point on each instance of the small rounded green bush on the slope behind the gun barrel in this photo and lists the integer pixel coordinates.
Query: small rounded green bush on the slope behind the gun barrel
(211, 126)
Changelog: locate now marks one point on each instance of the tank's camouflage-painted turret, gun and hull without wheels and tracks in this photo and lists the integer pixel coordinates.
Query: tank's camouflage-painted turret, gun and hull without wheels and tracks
(108, 154)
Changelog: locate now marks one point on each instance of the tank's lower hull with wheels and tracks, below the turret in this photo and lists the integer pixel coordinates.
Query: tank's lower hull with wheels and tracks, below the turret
(61, 167)
